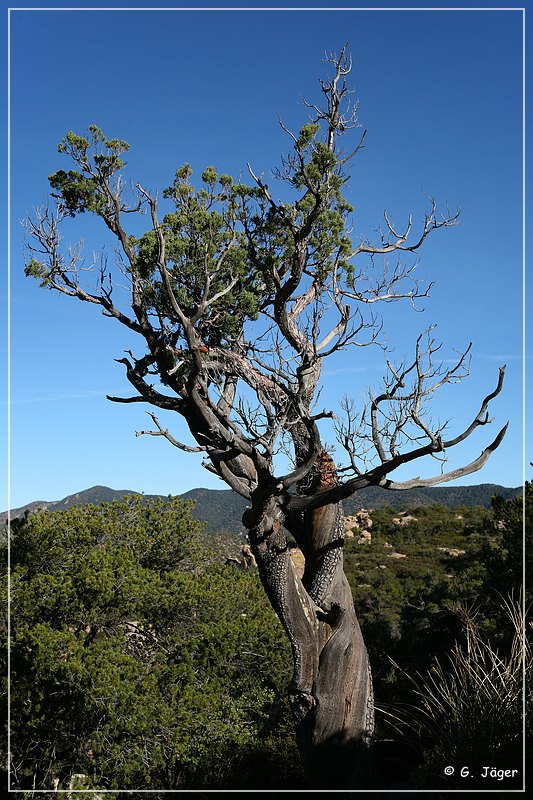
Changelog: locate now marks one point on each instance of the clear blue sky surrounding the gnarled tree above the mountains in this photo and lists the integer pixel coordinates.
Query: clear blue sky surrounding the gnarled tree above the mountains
(440, 94)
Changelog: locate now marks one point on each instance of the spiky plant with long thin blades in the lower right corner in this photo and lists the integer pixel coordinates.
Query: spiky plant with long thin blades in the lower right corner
(468, 721)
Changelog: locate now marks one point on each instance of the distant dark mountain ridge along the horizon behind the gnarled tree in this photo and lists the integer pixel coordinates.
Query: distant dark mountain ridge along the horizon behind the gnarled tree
(222, 509)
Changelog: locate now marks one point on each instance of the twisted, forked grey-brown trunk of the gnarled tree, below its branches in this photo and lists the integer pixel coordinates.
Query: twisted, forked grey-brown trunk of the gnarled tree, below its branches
(331, 690)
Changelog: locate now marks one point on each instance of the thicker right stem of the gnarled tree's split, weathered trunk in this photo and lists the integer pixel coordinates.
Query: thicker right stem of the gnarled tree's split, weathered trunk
(334, 741)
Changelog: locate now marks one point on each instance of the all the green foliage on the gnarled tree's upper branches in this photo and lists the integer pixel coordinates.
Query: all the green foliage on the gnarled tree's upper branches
(223, 240)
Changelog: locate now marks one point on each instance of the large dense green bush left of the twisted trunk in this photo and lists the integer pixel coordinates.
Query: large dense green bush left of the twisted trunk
(137, 661)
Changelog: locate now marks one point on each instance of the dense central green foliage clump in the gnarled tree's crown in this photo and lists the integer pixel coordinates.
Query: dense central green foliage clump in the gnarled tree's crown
(203, 245)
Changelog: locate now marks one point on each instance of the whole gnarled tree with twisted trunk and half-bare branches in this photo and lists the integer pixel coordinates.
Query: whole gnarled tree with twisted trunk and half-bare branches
(238, 298)
